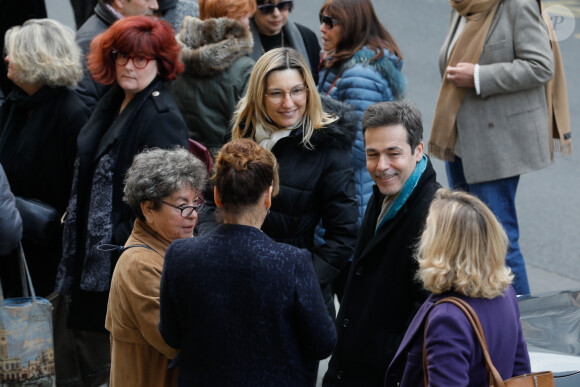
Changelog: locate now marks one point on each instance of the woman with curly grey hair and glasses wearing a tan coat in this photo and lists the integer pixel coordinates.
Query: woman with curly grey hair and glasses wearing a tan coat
(162, 188)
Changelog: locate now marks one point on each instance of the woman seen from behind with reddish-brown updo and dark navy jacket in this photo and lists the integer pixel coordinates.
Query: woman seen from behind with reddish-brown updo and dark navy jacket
(255, 315)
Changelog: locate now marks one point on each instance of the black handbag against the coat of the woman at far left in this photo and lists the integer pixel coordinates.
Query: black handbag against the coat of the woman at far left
(40, 221)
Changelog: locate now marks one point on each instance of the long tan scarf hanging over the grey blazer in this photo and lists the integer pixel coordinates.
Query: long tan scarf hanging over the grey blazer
(467, 48)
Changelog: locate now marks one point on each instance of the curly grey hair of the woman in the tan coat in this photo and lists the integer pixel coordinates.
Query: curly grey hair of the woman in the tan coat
(158, 173)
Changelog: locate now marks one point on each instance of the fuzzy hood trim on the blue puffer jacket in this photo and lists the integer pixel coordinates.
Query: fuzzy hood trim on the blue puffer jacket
(389, 66)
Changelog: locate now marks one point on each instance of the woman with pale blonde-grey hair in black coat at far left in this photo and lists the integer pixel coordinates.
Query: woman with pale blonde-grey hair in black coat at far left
(39, 124)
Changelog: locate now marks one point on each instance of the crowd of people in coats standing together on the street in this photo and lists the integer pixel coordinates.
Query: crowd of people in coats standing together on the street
(165, 271)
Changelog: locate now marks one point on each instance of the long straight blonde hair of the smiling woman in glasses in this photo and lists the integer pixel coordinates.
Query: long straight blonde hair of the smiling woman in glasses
(251, 110)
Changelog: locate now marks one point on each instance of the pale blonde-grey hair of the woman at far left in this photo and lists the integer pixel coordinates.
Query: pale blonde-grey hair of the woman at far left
(45, 53)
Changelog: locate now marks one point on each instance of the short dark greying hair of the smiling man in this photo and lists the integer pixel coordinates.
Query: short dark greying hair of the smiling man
(394, 113)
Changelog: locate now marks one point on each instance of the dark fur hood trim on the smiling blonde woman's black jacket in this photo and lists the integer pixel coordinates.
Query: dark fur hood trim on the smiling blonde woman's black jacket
(340, 133)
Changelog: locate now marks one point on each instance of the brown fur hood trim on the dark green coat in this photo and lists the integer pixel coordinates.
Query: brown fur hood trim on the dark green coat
(211, 46)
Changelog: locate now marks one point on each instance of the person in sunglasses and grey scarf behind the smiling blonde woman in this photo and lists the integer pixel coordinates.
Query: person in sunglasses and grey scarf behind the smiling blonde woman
(271, 28)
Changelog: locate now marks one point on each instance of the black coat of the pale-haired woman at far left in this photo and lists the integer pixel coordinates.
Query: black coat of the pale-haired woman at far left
(37, 150)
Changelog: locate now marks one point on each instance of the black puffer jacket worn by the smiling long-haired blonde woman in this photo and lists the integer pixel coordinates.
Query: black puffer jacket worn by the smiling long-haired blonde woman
(315, 185)
